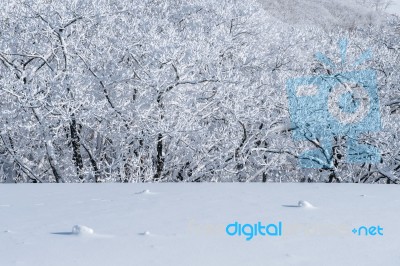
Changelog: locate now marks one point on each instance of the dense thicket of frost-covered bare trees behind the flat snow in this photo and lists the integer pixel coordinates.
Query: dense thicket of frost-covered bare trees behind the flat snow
(138, 91)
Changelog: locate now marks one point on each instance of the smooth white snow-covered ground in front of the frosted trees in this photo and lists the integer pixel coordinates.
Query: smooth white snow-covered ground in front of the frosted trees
(184, 224)
